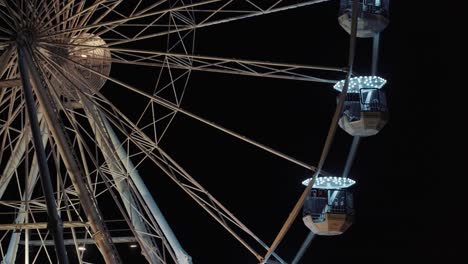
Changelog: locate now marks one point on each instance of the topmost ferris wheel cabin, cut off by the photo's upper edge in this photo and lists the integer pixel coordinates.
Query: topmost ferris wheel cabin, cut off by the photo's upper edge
(372, 16)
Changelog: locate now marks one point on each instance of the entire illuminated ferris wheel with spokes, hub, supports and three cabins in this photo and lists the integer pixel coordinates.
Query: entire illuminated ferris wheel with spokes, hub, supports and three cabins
(70, 155)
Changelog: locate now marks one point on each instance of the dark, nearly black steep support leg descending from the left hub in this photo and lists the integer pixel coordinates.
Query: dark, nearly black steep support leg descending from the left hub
(54, 222)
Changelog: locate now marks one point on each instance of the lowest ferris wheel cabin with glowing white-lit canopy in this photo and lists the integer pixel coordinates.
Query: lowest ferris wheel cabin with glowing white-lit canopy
(329, 209)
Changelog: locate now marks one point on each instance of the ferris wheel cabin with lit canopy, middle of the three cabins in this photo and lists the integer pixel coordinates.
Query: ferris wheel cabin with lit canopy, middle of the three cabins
(365, 110)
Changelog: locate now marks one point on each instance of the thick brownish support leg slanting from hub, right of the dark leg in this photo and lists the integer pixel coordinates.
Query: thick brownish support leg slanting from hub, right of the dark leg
(100, 233)
